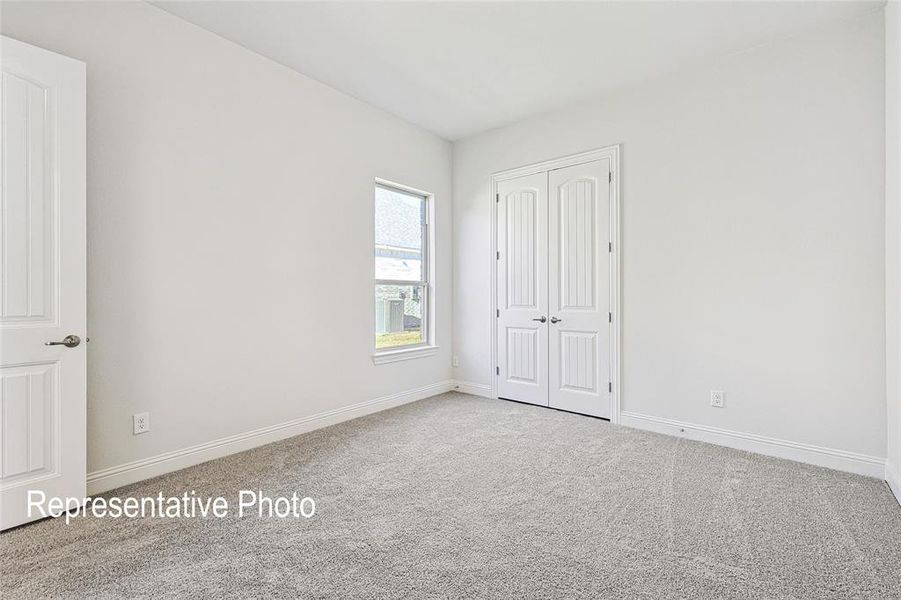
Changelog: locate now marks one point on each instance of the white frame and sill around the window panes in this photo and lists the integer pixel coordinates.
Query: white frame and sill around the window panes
(428, 347)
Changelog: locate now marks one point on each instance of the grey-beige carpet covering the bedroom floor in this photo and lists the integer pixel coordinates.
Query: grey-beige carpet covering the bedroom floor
(461, 497)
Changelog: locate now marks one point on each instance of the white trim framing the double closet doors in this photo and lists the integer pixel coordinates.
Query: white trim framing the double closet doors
(612, 153)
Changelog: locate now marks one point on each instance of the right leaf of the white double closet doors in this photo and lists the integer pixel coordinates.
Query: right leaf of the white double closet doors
(579, 288)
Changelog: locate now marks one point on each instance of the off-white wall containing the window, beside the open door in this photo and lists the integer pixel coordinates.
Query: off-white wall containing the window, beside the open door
(230, 206)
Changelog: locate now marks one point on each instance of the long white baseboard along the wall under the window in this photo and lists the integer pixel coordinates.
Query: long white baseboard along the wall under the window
(125, 474)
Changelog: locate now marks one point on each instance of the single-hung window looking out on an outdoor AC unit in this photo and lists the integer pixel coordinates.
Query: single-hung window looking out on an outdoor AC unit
(402, 269)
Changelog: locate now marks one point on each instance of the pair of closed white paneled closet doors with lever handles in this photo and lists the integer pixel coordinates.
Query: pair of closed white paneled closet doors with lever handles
(553, 288)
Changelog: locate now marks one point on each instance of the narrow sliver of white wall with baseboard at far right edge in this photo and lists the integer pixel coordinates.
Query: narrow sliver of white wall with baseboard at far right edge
(892, 231)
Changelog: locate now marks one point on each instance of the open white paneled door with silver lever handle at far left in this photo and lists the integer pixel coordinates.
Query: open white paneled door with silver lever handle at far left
(42, 273)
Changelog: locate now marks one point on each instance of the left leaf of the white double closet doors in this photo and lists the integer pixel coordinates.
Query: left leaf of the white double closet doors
(522, 289)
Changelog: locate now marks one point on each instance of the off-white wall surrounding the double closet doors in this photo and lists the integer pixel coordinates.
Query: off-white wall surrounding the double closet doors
(753, 230)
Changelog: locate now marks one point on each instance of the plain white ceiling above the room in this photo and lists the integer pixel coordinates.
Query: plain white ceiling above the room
(458, 68)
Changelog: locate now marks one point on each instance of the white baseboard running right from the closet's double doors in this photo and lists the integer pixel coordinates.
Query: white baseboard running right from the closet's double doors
(831, 458)
